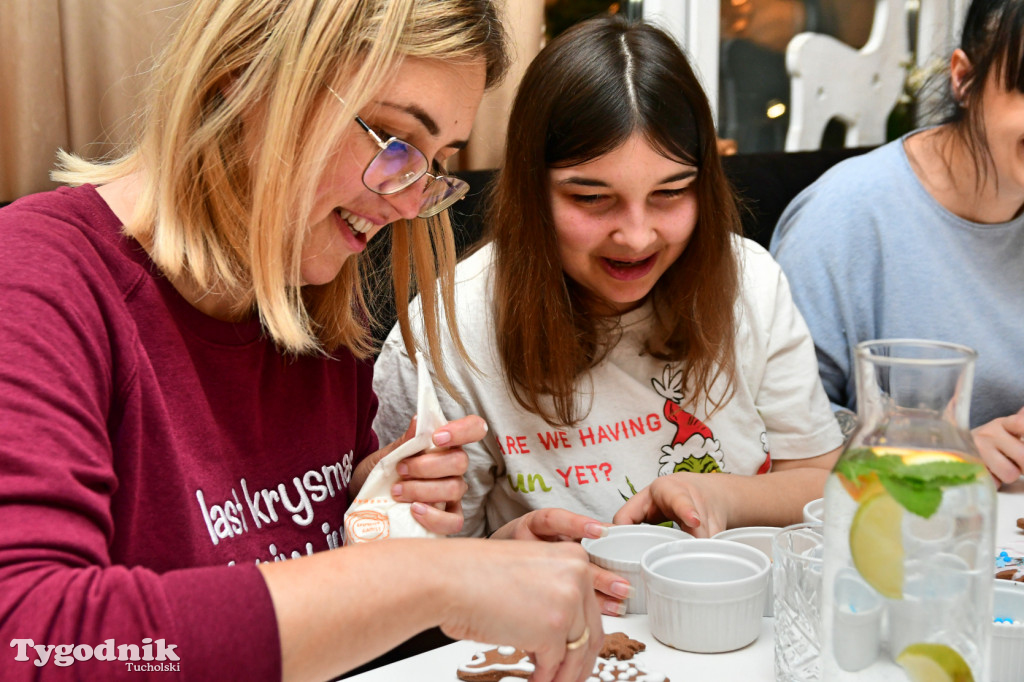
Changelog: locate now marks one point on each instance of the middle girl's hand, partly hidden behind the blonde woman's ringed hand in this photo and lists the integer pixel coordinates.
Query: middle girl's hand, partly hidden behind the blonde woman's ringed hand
(553, 525)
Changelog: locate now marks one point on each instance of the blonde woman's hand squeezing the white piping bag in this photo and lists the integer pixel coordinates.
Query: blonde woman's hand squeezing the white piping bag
(432, 482)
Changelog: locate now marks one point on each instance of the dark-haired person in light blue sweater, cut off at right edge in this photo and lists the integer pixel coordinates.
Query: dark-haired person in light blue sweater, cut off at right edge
(925, 238)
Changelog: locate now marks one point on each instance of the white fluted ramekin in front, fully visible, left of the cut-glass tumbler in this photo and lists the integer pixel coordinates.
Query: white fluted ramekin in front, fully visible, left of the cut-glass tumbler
(706, 595)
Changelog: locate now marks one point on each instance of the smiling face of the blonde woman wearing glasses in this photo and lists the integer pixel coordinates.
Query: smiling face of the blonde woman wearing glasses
(428, 104)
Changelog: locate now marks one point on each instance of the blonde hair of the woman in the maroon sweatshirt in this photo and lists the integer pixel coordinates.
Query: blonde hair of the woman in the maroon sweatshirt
(232, 215)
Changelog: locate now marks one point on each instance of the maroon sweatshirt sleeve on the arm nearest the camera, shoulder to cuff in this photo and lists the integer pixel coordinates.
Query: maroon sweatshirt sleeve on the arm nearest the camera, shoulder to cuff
(59, 585)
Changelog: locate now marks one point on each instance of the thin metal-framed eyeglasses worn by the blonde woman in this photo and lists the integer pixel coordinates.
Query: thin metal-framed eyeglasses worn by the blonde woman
(399, 165)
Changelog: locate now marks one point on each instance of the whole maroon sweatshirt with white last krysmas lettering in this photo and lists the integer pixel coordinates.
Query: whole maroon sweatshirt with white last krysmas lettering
(150, 458)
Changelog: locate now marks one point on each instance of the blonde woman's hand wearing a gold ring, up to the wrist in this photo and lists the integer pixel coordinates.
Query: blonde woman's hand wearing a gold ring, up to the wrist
(536, 596)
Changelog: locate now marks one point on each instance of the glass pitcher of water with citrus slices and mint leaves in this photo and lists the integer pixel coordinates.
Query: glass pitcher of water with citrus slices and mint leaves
(910, 522)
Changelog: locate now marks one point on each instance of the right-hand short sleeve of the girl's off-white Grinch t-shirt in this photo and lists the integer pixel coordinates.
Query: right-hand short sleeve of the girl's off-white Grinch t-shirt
(790, 397)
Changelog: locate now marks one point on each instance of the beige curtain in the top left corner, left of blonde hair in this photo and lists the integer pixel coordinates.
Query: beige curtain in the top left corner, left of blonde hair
(71, 74)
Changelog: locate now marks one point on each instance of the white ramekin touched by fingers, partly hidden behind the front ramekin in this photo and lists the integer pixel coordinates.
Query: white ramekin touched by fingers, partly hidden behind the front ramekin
(620, 552)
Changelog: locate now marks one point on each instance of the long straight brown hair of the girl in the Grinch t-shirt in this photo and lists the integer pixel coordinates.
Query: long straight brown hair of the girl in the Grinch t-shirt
(585, 95)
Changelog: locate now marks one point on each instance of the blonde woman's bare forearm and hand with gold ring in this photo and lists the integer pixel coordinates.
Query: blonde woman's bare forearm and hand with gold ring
(536, 596)
